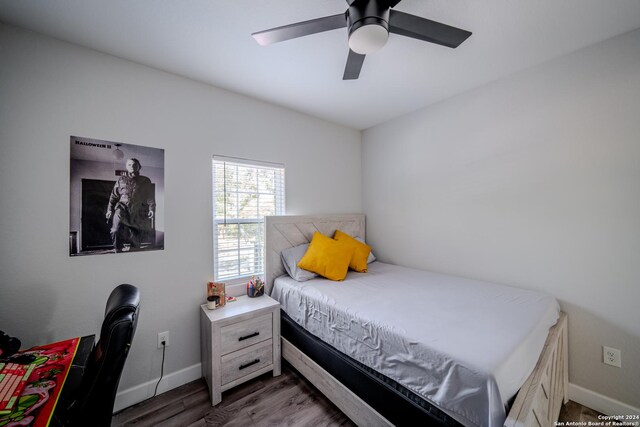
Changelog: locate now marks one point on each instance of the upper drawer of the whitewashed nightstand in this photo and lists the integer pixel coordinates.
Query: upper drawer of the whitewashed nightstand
(243, 334)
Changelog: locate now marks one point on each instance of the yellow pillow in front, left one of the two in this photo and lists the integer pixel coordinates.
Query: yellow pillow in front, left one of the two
(327, 257)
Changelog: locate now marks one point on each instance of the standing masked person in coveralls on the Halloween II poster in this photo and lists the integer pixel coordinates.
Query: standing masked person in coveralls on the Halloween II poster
(131, 205)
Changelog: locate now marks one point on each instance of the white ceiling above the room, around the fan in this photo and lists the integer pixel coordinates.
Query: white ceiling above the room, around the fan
(210, 41)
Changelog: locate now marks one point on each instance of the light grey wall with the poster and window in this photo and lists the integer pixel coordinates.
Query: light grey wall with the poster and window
(50, 90)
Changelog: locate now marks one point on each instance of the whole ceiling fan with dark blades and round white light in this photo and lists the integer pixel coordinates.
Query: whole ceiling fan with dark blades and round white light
(369, 23)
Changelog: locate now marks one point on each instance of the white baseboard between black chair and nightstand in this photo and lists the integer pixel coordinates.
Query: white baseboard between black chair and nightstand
(141, 392)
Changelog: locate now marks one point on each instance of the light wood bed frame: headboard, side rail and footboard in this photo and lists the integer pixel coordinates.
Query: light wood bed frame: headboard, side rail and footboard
(539, 400)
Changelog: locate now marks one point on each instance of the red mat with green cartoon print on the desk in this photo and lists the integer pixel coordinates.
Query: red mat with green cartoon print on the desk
(41, 383)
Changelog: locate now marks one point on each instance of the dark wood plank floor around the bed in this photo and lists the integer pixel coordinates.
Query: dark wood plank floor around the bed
(286, 400)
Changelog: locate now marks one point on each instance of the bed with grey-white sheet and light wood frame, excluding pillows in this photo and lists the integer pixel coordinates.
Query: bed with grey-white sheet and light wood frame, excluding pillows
(335, 334)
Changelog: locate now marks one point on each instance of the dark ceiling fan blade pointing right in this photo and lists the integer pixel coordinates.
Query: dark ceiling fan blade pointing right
(424, 29)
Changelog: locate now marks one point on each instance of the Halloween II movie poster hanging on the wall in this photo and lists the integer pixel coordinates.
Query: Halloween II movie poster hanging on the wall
(117, 197)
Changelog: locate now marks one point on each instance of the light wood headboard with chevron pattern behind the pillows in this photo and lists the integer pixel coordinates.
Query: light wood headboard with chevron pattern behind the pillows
(282, 232)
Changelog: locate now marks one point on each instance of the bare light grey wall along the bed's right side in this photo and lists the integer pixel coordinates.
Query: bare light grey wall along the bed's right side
(531, 181)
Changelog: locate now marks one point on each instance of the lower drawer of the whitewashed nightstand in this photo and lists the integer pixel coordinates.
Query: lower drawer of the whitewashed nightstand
(243, 362)
